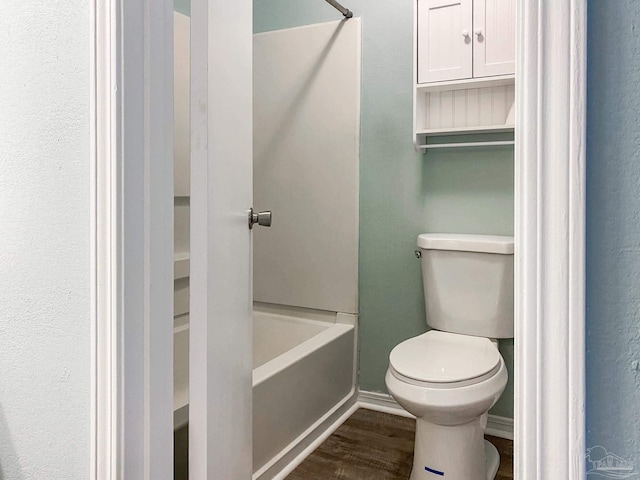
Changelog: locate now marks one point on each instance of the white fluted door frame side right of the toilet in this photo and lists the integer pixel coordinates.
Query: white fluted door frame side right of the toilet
(550, 161)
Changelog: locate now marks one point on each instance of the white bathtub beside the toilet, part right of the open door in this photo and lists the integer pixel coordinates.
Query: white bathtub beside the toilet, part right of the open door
(303, 374)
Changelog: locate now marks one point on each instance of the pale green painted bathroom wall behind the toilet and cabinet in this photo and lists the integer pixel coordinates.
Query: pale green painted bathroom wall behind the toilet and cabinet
(403, 193)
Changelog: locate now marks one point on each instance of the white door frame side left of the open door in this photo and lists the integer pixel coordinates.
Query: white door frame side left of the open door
(131, 239)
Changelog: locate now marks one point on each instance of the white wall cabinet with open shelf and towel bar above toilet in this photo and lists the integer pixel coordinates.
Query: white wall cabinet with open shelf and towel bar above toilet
(464, 69)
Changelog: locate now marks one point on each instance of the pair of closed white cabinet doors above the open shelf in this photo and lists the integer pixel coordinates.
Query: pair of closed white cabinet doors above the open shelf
(460, 39)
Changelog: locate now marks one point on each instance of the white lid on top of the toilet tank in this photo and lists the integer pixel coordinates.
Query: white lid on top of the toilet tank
(466, 243)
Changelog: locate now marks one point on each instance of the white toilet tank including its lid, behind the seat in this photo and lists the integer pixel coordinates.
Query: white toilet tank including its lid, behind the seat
(468, 283)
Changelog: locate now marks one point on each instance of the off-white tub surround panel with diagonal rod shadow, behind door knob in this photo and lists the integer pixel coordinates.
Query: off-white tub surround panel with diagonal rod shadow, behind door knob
(305, 165)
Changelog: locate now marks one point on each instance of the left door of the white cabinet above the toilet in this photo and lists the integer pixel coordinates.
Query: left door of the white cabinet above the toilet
(445, 49)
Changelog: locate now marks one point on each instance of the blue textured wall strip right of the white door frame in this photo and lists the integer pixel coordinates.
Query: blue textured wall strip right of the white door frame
(613, 228)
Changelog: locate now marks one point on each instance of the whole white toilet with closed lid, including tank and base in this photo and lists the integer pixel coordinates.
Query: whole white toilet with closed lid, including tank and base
(451, 376)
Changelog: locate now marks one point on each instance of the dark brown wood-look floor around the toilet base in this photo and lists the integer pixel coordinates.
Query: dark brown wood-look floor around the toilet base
(376, 446)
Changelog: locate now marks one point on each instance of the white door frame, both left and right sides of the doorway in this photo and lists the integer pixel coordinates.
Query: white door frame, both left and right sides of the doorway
(131, 375)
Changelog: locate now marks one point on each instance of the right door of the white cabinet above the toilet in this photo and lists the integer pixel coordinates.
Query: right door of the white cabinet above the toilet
(494, 33)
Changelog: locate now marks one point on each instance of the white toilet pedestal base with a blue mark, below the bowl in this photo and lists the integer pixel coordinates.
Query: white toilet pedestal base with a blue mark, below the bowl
(457, 452)
